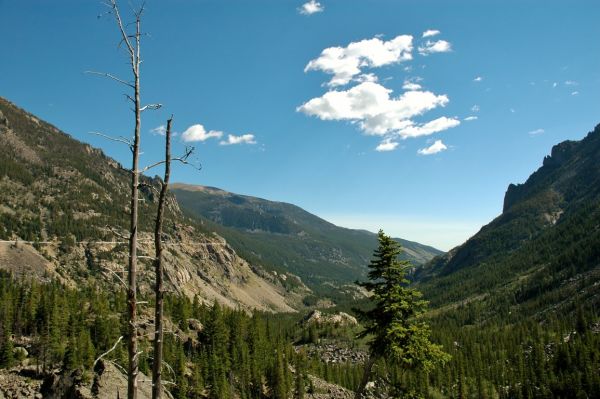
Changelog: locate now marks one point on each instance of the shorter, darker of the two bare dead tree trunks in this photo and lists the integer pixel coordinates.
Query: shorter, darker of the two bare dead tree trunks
(157, 388)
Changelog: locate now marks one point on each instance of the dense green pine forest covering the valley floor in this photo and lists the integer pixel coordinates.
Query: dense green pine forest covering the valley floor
(234, 354)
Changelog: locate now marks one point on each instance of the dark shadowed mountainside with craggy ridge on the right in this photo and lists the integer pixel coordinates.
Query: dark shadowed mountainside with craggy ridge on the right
(542, 251)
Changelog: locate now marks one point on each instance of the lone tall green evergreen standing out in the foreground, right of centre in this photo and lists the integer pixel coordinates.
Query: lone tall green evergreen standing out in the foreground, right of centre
(397, 333)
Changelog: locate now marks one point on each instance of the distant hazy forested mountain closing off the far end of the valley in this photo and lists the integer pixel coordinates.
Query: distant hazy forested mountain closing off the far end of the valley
(287, 238)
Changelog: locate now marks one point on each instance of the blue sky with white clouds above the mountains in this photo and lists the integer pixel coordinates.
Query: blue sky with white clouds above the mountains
(529, 71)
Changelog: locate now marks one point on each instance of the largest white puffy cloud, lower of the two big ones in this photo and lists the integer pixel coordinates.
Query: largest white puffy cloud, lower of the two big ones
(377, 113)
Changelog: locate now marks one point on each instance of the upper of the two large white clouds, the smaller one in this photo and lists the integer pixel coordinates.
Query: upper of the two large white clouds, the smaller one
(344, 63)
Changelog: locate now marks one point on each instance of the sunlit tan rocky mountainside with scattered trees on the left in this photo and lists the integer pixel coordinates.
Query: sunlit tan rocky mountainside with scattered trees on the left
(64, 209)
